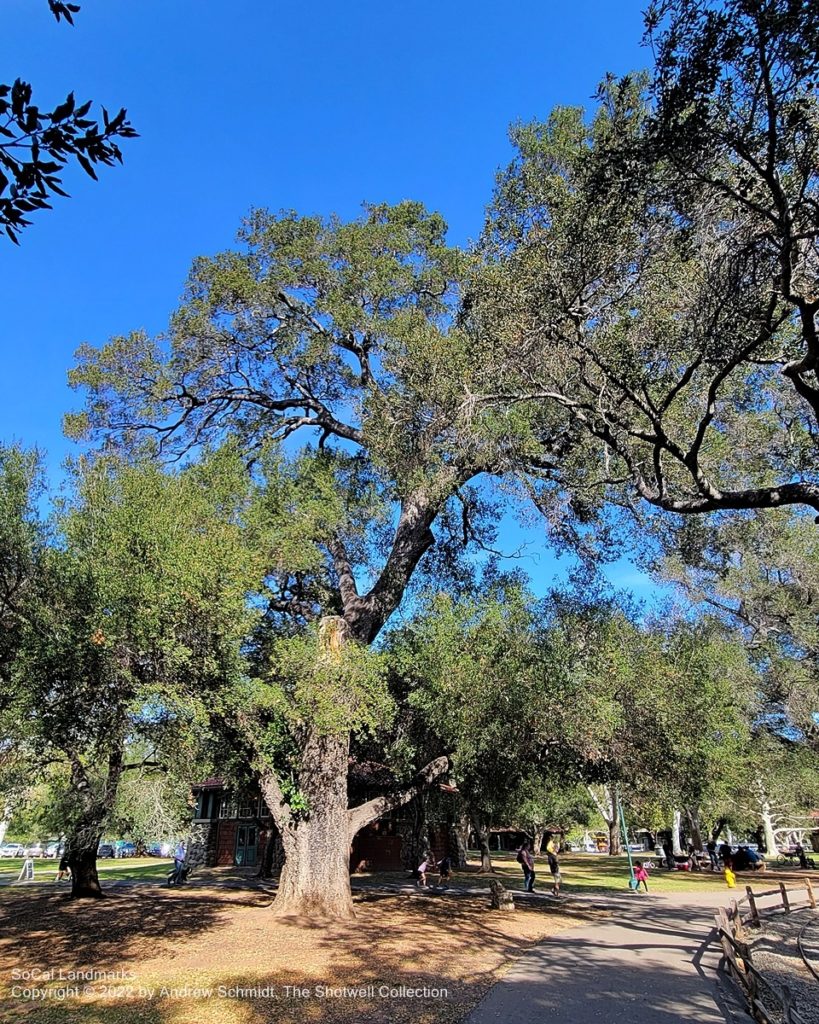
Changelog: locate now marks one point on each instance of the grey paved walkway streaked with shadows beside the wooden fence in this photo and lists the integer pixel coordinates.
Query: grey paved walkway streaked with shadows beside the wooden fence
(653, 963)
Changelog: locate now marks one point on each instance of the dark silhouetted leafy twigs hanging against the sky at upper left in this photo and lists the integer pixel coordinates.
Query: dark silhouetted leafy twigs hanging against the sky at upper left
(36, 145)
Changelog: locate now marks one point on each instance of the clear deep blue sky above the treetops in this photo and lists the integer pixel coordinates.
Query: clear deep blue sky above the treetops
(316, 107)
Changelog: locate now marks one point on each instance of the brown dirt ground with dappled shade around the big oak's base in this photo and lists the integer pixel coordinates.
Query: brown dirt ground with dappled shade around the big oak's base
(426, 959)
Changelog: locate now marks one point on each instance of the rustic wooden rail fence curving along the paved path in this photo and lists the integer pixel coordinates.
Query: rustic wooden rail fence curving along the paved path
(732, 925)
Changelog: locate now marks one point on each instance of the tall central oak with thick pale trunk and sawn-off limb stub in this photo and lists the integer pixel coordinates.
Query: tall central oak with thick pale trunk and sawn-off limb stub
(346, 332)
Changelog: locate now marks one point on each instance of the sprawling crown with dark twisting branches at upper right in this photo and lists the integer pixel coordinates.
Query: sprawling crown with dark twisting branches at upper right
(651, 272)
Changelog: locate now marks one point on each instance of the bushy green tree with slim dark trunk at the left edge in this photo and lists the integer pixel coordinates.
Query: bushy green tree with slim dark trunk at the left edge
(128, 609)
